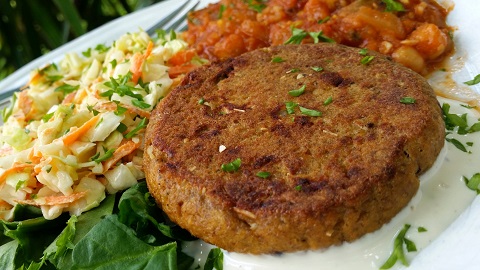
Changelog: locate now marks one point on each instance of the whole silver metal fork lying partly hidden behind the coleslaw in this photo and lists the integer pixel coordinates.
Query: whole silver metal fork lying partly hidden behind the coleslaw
(174, 21)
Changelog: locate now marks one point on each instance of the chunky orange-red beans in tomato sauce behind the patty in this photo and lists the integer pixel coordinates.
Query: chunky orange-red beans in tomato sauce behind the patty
(416, 36)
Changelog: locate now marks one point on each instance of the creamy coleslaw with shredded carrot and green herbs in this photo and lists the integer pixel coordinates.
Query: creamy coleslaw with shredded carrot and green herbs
(75, 133)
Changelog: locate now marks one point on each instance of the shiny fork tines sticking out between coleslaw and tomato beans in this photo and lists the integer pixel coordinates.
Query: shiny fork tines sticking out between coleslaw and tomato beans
(176, 19)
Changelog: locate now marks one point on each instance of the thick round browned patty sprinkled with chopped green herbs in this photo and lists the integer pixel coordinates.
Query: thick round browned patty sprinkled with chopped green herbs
(292, 147)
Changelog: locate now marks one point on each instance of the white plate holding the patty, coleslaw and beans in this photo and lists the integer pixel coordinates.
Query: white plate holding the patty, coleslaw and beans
(458, 246)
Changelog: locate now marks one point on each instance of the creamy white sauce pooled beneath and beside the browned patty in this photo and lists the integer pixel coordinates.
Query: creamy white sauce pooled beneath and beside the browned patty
(442, 197)
